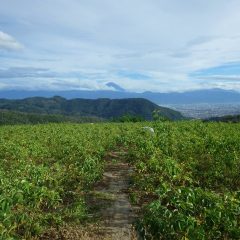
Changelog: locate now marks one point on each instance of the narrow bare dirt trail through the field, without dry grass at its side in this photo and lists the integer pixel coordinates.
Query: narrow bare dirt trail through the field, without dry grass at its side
(110, 198)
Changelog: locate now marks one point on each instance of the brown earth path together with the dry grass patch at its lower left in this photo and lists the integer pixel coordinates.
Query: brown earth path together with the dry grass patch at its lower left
(109, 205)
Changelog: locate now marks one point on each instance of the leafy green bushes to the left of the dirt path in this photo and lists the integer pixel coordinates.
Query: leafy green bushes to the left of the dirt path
(44, 172)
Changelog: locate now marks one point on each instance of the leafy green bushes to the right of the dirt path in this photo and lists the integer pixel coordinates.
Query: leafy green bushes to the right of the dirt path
(187, 180)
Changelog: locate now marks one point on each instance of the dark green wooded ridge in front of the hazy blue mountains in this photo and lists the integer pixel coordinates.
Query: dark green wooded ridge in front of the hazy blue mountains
(100, 108)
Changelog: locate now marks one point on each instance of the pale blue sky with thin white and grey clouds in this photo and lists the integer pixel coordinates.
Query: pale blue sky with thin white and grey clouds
(141, 45)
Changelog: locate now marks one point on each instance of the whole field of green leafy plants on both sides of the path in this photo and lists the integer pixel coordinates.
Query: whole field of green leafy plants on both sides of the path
(186, 178)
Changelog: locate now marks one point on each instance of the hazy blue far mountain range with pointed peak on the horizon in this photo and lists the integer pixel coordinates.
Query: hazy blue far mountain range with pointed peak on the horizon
(193, 97)
